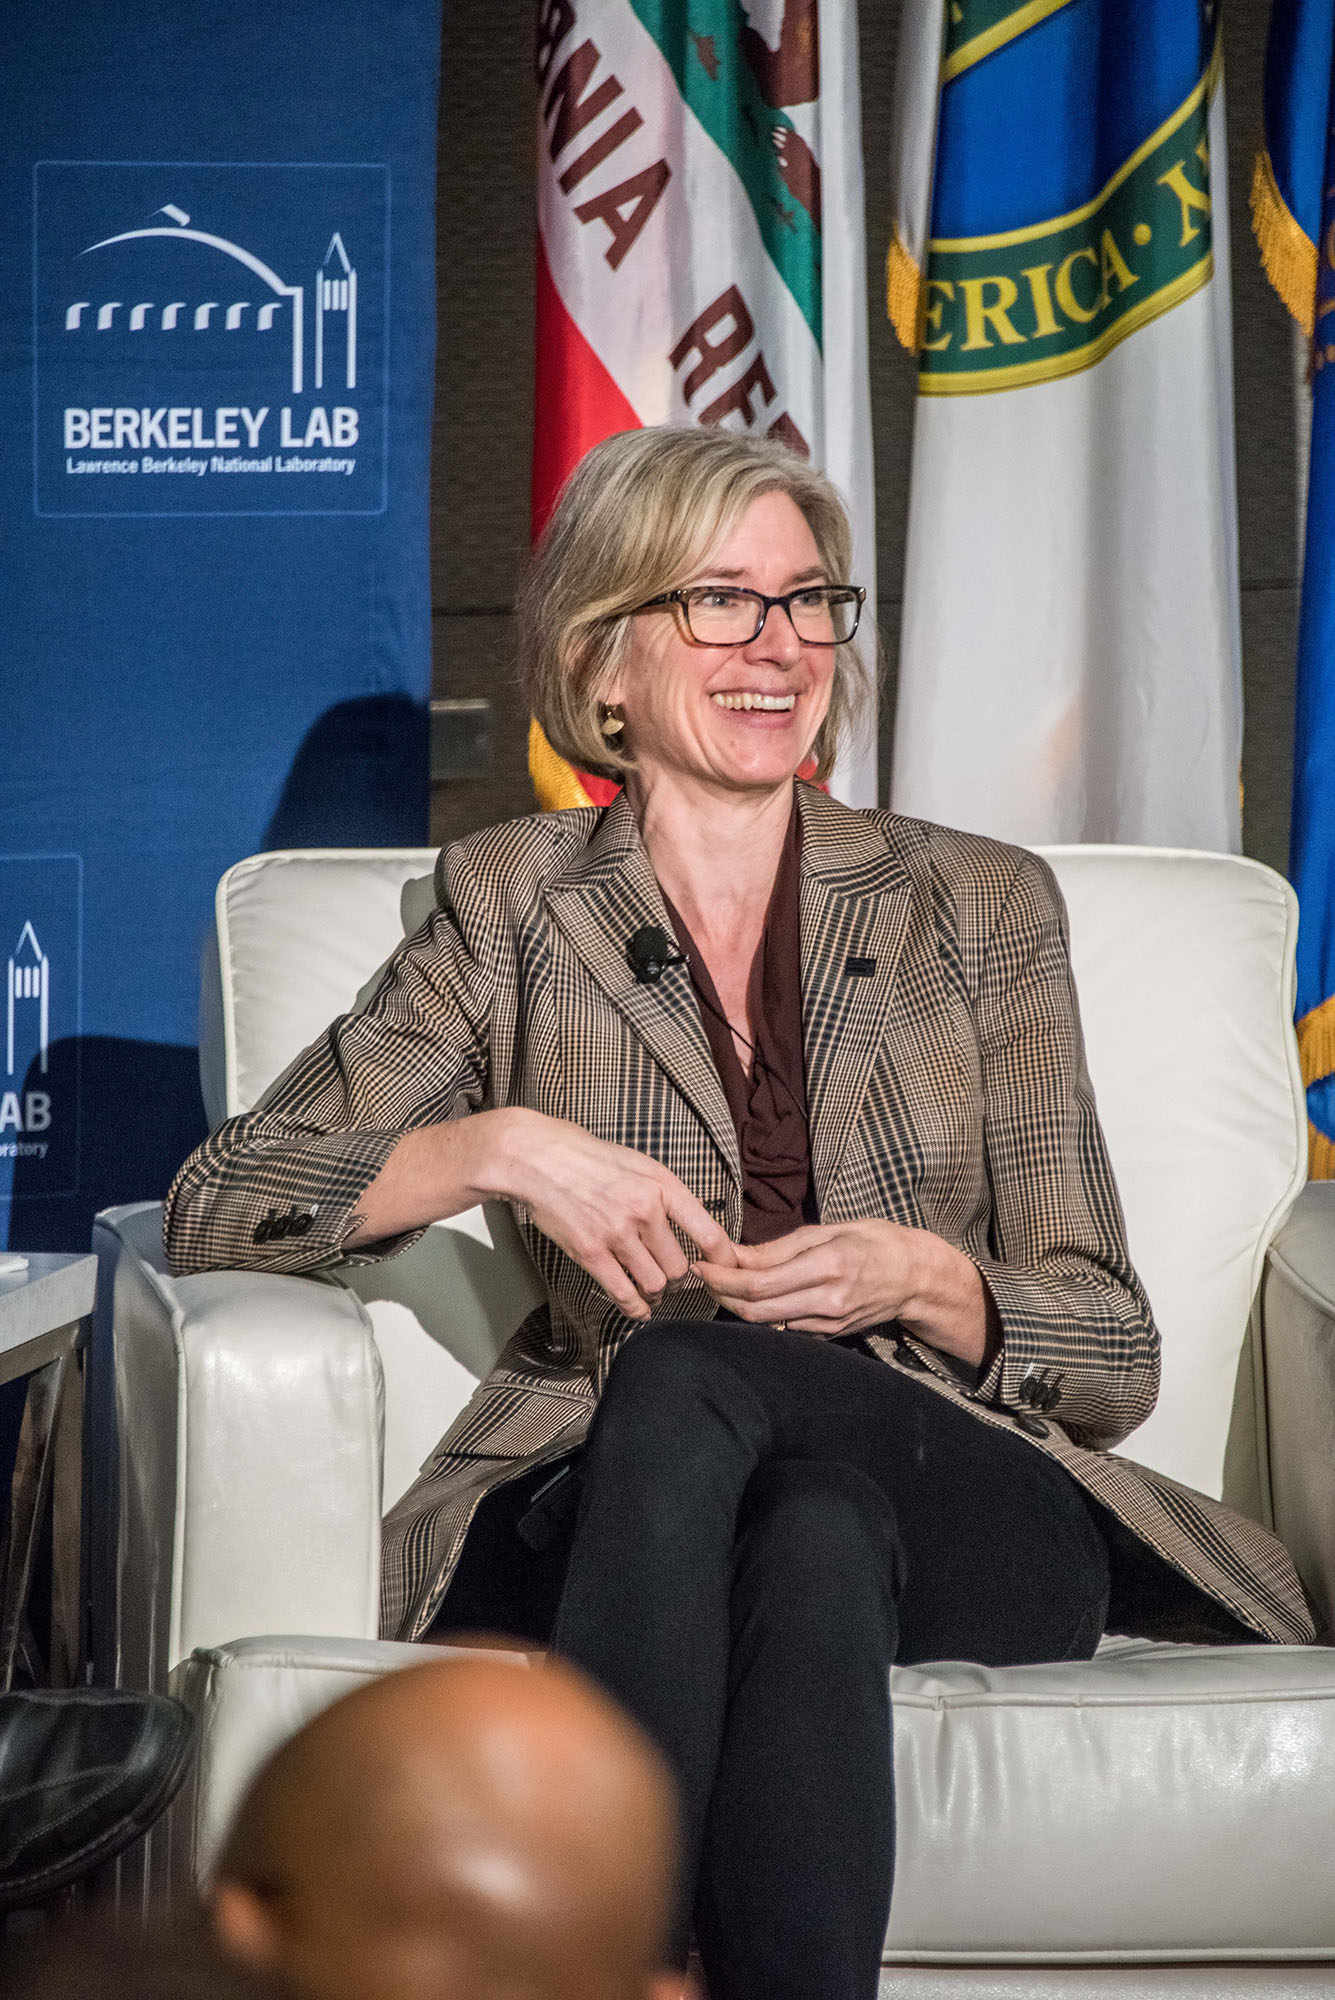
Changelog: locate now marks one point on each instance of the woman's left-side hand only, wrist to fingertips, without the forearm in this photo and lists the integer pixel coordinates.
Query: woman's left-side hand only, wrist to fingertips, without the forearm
(607, 1207)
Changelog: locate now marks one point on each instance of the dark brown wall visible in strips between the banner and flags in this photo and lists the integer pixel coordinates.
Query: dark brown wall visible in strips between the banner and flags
(485, 403)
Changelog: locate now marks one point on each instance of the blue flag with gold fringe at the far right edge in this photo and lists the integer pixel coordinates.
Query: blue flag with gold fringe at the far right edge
(1294, 211)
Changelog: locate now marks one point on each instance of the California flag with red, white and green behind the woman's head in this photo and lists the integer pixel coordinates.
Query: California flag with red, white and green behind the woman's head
(700, 251)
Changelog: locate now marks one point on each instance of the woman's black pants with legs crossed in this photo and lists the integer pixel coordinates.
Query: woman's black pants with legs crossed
(766, 1525)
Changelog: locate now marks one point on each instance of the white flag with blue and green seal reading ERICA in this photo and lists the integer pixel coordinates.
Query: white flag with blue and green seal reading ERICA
(1070, 651)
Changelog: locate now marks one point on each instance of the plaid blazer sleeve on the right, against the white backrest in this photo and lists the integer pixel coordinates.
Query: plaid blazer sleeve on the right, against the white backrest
(1072, 1309)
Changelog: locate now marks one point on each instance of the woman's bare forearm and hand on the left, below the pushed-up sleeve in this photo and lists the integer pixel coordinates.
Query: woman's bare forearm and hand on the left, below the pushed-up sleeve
(607, 1207)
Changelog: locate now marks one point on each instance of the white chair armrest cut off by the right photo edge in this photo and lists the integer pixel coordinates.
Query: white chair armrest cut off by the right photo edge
(1298, 1329)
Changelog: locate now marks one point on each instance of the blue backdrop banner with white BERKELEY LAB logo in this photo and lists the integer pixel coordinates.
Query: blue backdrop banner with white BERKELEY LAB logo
(217, 253)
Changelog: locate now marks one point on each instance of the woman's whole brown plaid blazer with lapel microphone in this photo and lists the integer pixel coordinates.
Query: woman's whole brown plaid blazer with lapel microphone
(948, 1091)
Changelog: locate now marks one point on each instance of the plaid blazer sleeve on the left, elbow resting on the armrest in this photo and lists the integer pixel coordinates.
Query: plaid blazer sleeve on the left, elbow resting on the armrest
(279, 1189)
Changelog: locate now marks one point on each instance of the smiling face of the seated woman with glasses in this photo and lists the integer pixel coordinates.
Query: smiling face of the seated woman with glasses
(738, 719)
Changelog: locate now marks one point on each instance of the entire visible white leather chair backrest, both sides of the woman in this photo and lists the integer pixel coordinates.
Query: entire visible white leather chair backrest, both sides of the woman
(1184, 967)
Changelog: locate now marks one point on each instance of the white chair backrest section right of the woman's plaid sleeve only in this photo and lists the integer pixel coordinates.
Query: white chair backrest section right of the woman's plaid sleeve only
(1184, 967)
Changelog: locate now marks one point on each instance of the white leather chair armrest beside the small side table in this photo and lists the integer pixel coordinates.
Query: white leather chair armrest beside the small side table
(249, 1417)
